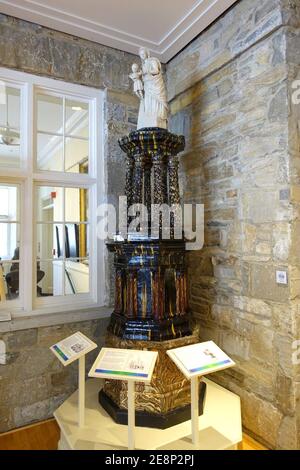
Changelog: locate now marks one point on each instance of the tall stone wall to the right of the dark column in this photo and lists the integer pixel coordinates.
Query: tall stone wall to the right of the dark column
(229, 94)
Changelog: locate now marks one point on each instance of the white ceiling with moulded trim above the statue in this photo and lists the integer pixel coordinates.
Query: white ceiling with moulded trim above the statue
(164, 26)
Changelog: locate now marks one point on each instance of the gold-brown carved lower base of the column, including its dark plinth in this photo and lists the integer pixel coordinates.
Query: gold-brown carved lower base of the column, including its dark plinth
(164, 402)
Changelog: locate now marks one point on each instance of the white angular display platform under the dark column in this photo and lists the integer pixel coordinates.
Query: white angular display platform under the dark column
(220, 427)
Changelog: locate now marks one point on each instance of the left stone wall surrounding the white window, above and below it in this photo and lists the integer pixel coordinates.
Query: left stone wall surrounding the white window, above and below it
(33, 383)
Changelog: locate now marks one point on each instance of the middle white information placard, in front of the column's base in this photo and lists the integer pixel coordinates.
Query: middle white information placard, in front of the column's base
(124, 364)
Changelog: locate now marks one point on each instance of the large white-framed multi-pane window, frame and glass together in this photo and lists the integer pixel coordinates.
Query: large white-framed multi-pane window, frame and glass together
(45, 235)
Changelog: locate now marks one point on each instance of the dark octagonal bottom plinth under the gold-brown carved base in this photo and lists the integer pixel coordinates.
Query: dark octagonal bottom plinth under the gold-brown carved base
(152, 420)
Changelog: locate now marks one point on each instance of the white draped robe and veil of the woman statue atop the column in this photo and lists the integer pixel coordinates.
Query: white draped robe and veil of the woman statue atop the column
(154, 108)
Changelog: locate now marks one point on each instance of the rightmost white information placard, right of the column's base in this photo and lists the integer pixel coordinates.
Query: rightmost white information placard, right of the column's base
(200, 359)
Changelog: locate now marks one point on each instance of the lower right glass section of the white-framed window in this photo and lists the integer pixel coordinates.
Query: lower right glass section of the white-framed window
(62, 240)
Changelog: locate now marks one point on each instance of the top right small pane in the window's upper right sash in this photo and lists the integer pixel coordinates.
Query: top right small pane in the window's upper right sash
(77, 119)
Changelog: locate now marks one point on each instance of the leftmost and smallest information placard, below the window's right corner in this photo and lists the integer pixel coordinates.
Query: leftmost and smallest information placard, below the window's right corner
(72, 348)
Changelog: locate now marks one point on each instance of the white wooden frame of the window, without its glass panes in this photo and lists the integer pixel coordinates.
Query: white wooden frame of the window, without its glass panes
(28, 178)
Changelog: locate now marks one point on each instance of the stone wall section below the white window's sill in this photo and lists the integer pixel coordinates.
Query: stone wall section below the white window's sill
(33, 383)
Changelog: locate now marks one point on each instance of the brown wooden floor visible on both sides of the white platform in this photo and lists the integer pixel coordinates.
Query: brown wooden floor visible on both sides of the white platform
(45, 436)
